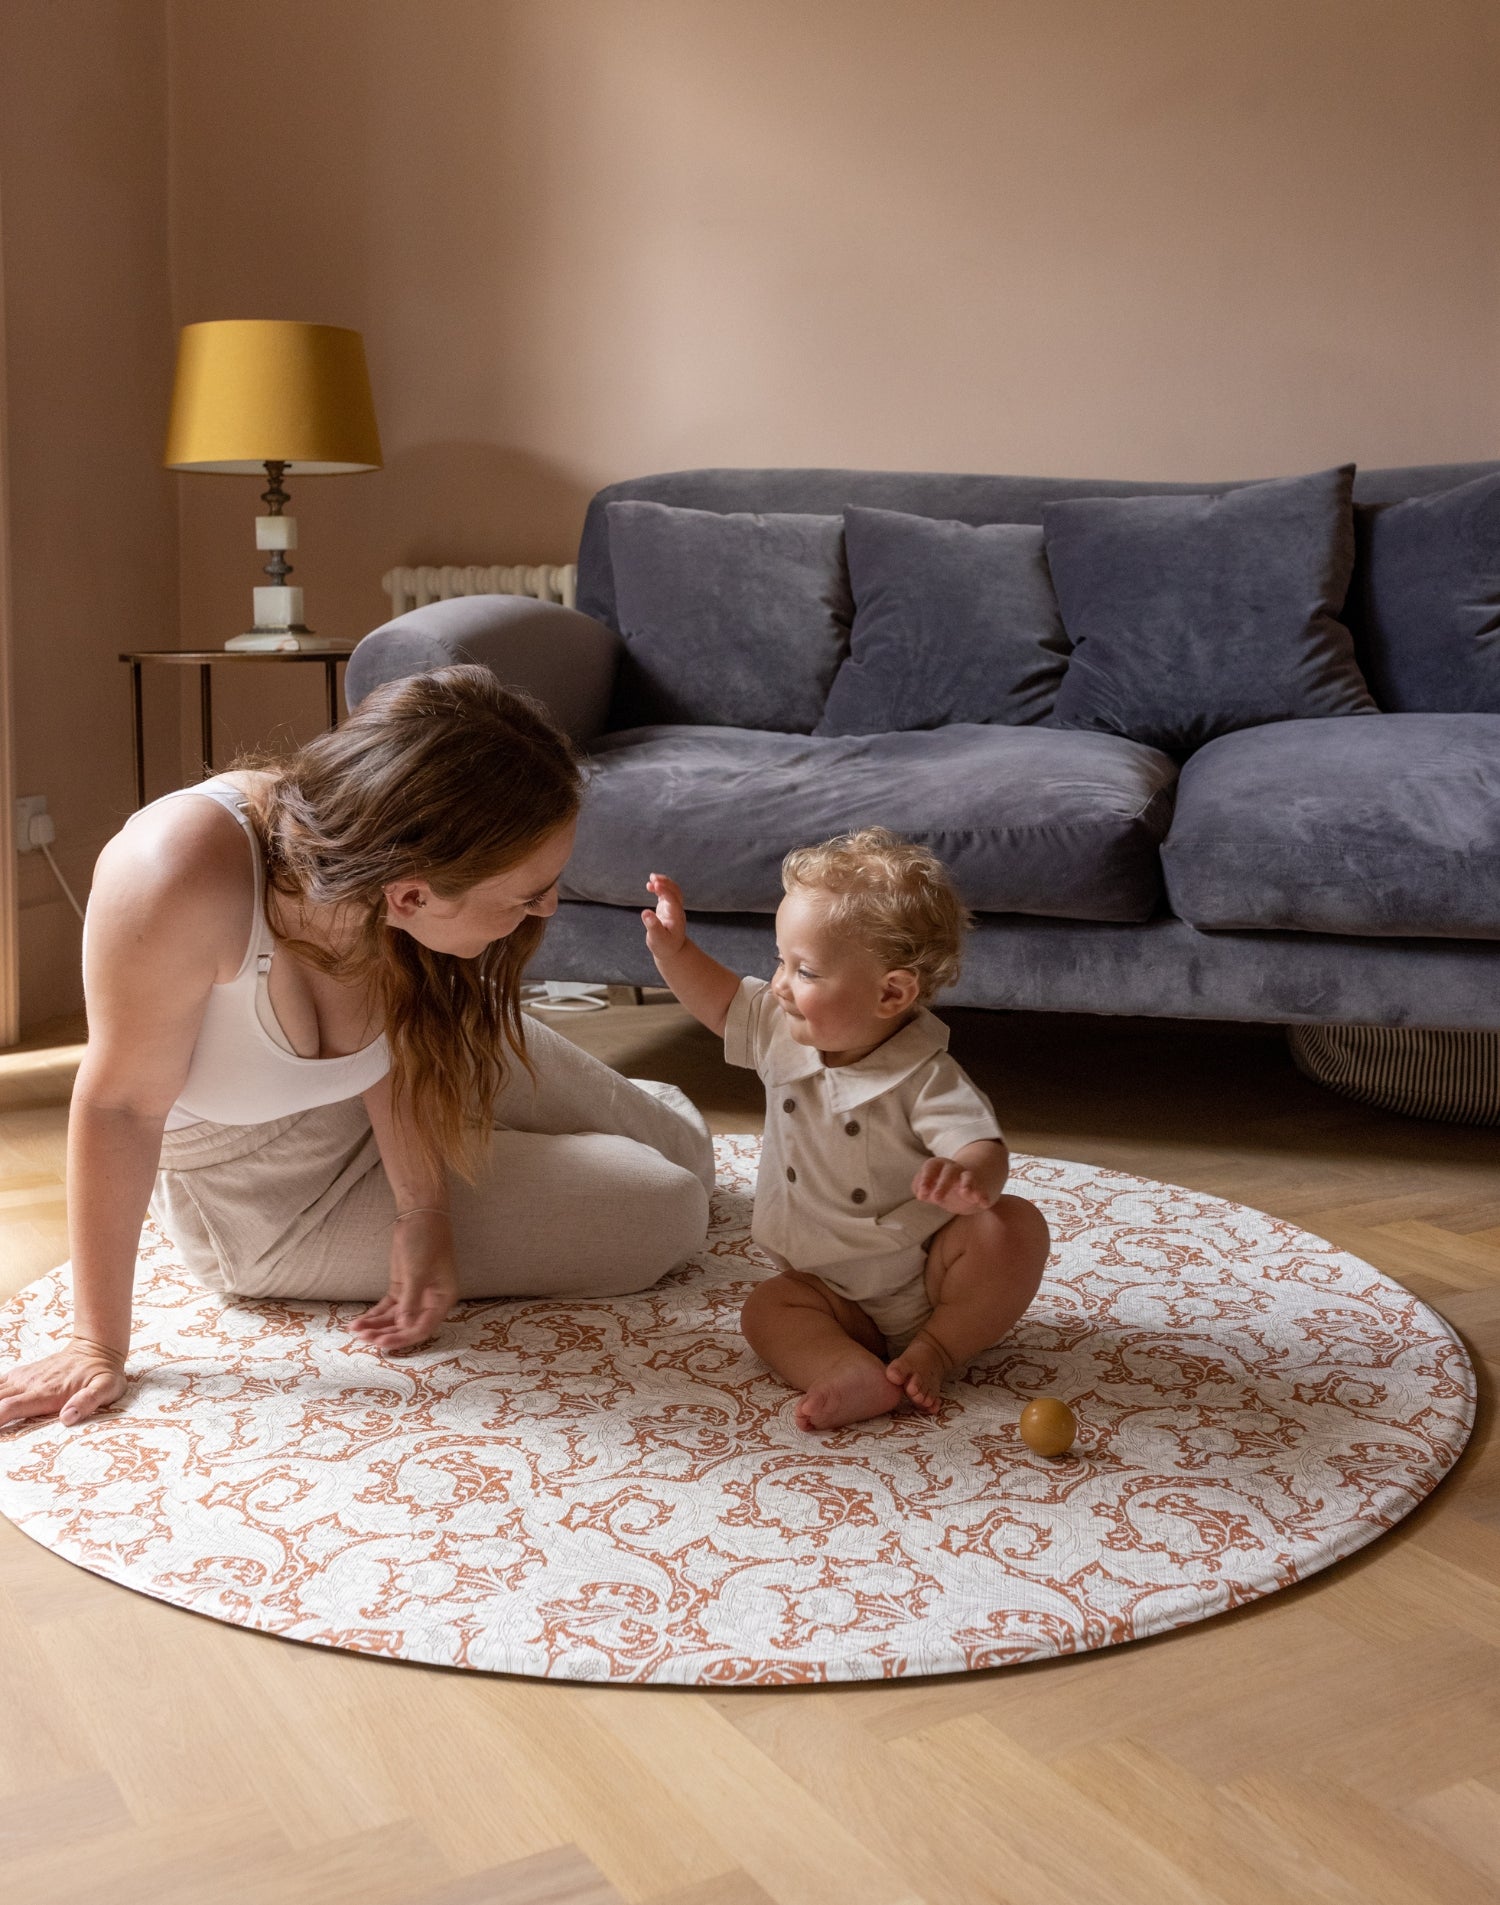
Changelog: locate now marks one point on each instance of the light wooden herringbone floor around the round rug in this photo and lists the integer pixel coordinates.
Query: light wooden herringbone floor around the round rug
(1337, 1742)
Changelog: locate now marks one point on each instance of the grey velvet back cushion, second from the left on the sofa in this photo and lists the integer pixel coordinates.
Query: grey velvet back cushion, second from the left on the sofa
(952, 624)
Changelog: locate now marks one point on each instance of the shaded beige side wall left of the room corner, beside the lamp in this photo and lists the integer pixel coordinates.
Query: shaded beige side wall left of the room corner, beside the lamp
(89, 346)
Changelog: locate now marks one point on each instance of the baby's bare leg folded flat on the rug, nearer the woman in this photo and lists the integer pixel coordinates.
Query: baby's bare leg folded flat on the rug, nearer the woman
(824, 1346)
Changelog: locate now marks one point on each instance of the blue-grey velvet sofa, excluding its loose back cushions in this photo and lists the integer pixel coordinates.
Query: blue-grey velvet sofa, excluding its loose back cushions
(1329, 870)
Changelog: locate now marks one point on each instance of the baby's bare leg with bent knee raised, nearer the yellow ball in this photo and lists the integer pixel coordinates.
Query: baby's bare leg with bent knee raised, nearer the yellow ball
(983, 1273)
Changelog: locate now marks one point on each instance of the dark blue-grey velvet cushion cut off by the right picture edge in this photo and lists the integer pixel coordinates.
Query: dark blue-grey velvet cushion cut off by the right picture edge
(1425, 605)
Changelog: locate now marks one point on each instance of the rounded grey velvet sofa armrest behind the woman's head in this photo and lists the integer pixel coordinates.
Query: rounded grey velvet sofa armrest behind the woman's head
(557, 654)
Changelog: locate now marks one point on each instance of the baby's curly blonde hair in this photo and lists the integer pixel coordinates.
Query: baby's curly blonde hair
(889, 896)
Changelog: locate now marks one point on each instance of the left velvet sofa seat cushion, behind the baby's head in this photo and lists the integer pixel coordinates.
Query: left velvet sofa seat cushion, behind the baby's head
(1028, 820)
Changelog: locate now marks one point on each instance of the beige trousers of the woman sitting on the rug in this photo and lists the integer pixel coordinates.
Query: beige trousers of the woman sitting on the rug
(594, 1186)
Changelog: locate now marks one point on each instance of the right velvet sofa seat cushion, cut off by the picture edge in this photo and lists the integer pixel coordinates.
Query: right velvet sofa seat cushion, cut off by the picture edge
(1377, 826)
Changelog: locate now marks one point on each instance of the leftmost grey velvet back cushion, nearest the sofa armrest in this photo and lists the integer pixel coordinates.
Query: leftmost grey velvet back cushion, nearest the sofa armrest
(727, 620)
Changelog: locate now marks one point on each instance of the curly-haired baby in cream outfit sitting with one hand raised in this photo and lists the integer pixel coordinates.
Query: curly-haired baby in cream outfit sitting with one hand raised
(882, 1190)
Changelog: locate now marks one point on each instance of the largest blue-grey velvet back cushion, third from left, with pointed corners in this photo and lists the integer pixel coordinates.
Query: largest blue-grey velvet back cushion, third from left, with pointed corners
(1194, 616)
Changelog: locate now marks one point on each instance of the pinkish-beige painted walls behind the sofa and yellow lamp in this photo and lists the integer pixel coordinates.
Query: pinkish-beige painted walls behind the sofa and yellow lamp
(590, 239)
